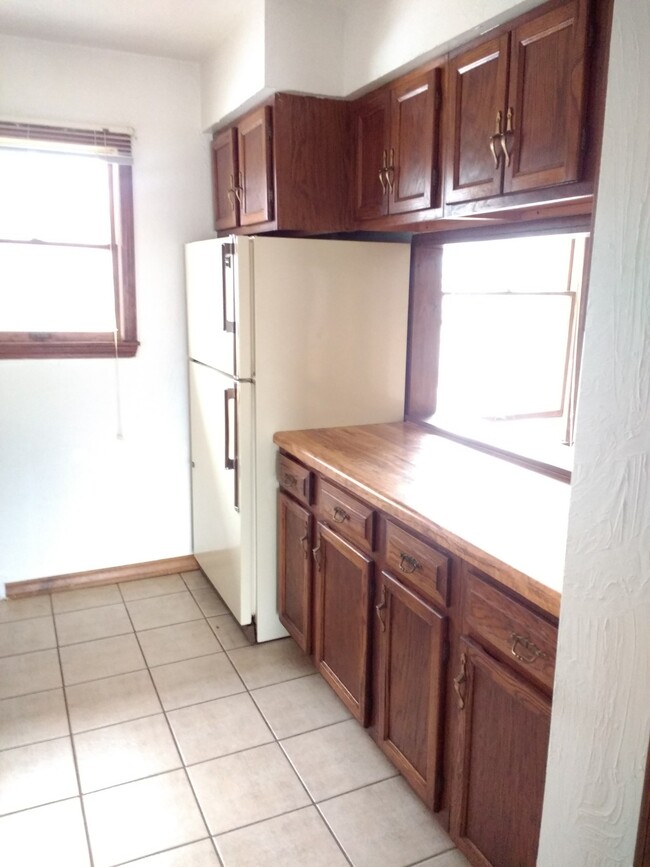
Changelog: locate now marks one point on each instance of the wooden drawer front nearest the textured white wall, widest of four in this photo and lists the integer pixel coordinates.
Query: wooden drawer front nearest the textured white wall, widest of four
(527, 641)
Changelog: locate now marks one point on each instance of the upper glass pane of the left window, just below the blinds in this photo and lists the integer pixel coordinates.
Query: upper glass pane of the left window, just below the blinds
(54, 197)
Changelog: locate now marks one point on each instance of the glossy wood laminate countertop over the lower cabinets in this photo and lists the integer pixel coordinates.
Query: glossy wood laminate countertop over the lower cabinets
(507, 521)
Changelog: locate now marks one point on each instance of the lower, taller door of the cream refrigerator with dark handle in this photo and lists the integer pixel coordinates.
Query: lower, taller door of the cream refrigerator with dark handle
(222, 540)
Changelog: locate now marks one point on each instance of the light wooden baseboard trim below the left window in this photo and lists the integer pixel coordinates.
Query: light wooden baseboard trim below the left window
(112, 575)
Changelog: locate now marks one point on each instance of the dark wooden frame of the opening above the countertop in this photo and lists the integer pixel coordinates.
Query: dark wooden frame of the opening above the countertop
(425, 319)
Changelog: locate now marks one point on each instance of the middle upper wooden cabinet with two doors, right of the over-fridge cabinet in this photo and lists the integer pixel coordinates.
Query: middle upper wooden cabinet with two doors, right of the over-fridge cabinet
(396, 146)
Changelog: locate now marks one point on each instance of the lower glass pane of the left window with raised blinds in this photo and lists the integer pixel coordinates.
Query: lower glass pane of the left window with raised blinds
(53, 289)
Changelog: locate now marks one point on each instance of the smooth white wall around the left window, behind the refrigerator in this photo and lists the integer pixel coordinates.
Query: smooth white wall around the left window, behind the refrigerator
(72, 496)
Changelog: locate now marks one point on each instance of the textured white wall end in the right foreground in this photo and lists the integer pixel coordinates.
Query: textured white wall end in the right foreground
(601, 708)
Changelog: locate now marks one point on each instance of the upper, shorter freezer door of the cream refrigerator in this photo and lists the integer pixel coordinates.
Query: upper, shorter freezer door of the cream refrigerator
(212, 307)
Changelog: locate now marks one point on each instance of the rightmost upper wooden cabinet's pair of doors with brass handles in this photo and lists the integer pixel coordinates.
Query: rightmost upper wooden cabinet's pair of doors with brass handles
(517, 105)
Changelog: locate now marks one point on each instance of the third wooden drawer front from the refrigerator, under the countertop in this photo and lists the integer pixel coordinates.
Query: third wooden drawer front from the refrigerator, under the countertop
(418, 564)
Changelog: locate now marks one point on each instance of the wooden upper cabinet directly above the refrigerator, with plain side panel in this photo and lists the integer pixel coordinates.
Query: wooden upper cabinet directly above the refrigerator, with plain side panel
(284, 166)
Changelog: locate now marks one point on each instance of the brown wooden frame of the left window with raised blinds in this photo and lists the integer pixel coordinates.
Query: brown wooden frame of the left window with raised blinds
(115, 149)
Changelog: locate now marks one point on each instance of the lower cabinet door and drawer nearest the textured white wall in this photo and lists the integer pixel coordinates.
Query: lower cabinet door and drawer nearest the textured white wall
(503, 685)
